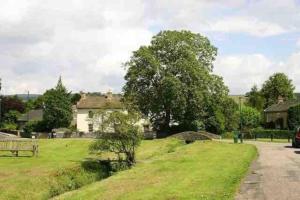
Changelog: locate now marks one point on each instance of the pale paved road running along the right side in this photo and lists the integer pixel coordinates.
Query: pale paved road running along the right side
(275, 175)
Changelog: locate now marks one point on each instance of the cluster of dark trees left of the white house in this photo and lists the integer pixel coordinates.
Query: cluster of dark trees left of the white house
(56, 104)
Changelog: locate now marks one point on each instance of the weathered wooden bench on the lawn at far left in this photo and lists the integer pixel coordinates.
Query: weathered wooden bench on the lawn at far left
(15, 145)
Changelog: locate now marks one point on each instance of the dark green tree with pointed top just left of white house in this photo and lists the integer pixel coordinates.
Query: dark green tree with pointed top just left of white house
(57, 107)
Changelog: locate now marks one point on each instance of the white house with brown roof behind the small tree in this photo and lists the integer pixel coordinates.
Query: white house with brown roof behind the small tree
(89, 107)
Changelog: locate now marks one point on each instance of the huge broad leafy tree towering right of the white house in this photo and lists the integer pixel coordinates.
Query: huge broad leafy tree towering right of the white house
(171, 80)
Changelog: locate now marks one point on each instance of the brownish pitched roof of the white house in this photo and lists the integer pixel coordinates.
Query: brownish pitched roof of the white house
(112, 101)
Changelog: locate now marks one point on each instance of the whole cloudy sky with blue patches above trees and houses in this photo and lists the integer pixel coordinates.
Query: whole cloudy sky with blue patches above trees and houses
(87, 42)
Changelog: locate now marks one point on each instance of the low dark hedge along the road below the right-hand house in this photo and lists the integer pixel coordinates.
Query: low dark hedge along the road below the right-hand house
(266, 133)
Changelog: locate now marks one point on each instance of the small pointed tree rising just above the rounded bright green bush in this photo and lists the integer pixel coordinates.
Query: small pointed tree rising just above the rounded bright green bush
(255, 99)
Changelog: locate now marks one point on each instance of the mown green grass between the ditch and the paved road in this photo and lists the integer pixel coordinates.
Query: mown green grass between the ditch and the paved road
(210, 170)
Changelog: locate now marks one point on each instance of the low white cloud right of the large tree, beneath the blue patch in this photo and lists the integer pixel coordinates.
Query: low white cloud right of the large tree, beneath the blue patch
(241, 72)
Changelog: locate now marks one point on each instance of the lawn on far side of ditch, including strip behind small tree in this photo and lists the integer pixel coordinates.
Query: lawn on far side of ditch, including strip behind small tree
(59, 161)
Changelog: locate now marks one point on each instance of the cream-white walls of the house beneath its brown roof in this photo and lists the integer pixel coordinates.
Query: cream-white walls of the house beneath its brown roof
(83, 120)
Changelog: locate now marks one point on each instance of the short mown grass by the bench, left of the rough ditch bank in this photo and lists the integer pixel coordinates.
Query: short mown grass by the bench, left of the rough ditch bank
(29, 177)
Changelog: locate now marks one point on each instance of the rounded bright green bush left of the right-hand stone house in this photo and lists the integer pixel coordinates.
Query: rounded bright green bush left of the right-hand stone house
(250, 118)
